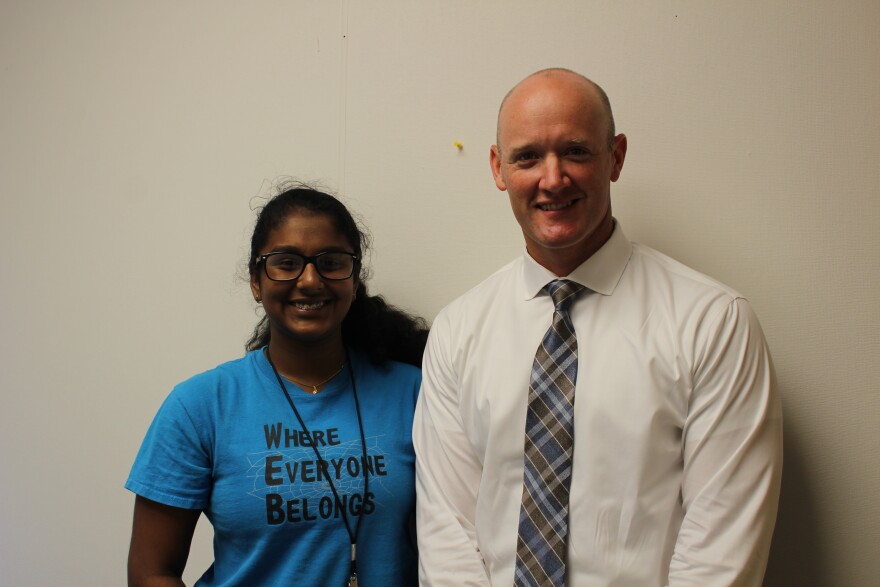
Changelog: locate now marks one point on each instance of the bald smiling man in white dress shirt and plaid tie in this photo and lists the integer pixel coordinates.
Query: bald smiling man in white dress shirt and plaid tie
(672, 476)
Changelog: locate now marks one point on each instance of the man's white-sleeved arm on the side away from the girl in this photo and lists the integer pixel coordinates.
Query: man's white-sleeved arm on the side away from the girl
(732, 452)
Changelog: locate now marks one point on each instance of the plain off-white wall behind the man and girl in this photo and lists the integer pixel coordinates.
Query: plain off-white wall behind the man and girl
(134, 138)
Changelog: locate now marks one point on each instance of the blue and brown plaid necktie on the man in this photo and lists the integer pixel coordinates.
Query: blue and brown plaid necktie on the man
(543, 517)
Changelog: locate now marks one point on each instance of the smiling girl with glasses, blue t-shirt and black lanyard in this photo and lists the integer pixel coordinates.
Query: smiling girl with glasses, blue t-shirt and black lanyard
(299, 453)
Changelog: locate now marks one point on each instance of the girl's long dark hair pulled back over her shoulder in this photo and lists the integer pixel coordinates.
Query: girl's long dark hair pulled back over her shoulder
(372, 325)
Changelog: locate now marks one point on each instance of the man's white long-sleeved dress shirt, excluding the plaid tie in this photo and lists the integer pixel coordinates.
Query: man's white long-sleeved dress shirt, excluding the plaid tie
(678, 427)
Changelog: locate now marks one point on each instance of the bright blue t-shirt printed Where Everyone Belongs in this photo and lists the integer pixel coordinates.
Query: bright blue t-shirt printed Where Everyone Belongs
(228, 443)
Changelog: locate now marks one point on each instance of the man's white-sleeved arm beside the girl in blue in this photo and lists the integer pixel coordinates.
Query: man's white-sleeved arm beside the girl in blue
(448, 476)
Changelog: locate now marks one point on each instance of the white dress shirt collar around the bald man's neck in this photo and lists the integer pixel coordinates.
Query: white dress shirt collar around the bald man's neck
(600, 273)
